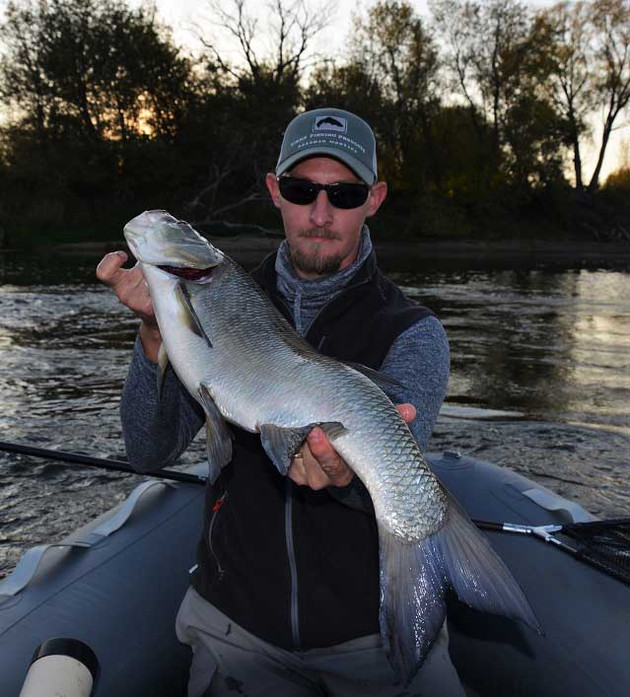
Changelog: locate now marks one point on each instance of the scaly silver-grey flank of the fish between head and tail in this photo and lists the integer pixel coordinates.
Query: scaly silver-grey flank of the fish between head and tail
(250, 339)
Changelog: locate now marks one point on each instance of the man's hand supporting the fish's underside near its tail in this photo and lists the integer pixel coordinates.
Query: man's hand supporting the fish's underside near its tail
(319, 465)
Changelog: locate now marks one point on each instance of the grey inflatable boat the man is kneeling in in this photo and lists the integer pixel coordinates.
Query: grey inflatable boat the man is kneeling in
(116, 584)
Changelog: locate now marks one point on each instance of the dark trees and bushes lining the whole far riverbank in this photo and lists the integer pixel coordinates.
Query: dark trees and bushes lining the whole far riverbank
(482, 111)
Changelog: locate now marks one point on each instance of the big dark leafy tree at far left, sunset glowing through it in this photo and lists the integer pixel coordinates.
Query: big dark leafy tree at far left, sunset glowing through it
(94, 91)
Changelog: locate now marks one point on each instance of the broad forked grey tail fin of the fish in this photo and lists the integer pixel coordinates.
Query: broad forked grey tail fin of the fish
(415, 576)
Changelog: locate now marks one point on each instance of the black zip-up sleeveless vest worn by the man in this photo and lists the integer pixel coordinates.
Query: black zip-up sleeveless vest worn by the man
(297, 567)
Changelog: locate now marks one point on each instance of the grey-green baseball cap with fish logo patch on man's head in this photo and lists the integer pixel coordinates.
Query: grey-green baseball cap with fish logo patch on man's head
(330, 133)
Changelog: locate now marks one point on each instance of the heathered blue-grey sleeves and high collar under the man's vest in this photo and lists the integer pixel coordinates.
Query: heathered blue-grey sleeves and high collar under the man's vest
(156, 432)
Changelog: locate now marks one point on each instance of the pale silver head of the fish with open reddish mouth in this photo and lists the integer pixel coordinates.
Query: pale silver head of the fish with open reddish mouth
(158, 239)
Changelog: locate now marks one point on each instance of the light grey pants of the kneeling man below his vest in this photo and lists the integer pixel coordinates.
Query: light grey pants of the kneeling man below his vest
(228, 660)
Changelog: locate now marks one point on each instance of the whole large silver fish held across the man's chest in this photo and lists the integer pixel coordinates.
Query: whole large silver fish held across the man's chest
(244, 363)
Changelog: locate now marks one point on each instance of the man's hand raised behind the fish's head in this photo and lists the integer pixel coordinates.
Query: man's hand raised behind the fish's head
(132, 290)
